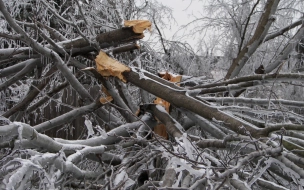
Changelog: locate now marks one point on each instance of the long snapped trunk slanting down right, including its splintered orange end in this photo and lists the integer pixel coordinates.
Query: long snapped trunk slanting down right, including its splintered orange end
(173, 94)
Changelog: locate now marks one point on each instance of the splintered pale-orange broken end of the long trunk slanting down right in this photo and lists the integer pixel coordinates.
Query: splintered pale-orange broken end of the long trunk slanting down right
(107, 66)
